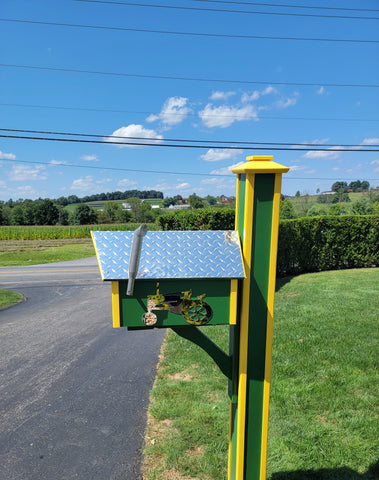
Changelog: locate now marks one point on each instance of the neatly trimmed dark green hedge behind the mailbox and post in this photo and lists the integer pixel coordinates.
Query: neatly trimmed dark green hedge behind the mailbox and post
(308, 244)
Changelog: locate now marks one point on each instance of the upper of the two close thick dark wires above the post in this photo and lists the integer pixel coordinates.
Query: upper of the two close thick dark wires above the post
(157, 139)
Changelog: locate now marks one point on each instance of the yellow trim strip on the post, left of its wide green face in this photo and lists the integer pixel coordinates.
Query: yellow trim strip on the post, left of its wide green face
(242, 377)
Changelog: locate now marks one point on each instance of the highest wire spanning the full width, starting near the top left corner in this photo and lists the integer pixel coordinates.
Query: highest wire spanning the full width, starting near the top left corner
(197, 34)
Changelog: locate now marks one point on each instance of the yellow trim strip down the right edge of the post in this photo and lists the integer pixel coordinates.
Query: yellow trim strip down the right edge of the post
(270, 320)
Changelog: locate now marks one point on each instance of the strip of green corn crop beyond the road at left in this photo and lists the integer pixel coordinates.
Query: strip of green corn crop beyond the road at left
(60, 232)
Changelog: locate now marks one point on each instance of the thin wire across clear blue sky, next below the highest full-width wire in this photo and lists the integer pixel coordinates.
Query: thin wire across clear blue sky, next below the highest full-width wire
(190, 79)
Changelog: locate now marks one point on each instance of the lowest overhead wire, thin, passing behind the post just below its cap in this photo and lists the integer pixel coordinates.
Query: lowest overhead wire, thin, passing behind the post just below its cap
(74, 165)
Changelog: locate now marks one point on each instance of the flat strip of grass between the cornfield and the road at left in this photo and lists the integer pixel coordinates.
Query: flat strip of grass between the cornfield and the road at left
(34, 252)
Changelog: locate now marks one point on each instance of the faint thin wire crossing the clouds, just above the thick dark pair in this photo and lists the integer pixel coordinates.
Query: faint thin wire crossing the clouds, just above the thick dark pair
(111, 110)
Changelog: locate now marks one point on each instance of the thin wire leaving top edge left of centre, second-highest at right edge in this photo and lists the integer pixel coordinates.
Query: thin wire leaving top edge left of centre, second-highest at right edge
(219, 10)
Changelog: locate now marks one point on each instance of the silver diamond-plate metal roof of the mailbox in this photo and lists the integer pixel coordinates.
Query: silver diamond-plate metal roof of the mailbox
(172, 254)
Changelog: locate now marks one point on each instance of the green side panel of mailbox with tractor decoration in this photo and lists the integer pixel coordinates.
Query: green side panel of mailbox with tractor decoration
(211, 298)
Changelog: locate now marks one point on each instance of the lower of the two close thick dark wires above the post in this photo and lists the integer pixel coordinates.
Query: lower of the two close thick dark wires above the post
(157, 144)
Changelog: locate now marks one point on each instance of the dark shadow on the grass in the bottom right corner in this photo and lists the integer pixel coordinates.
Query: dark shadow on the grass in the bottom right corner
(343, 473)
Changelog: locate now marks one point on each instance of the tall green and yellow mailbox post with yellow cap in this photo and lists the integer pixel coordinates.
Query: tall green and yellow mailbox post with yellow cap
(257, 221)
